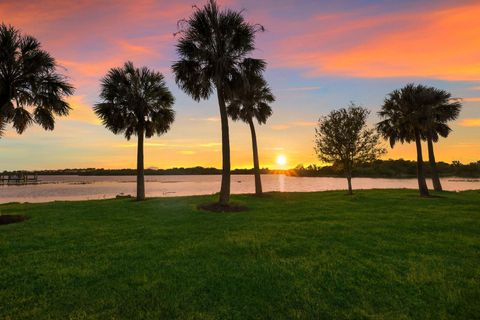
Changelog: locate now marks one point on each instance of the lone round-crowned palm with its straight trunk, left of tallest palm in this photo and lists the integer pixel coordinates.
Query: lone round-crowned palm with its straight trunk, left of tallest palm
(136, 102)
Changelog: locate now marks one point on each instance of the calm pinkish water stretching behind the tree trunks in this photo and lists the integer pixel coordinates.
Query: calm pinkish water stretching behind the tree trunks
(53, 188)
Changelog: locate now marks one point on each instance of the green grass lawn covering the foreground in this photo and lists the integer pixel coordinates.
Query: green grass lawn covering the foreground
(380, 254)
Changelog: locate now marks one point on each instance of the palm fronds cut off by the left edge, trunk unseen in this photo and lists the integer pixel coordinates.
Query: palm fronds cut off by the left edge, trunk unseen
(29, 79)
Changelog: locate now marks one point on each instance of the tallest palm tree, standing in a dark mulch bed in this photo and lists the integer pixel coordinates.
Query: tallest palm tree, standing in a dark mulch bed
(211, 46)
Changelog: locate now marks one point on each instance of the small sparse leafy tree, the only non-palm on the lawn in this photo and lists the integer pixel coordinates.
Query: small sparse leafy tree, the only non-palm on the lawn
(342, 137)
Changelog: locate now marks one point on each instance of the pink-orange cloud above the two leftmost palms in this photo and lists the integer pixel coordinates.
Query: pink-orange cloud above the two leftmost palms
(89, 44)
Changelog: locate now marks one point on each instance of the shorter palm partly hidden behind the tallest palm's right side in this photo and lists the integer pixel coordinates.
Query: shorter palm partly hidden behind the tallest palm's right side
(251, 100)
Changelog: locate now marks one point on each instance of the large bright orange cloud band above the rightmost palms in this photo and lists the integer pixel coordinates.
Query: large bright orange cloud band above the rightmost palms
(439, 44)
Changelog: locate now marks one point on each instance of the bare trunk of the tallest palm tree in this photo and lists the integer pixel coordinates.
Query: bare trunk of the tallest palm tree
(225, 187)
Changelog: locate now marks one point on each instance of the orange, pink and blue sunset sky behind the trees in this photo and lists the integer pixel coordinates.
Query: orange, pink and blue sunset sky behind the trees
(321, 55)
